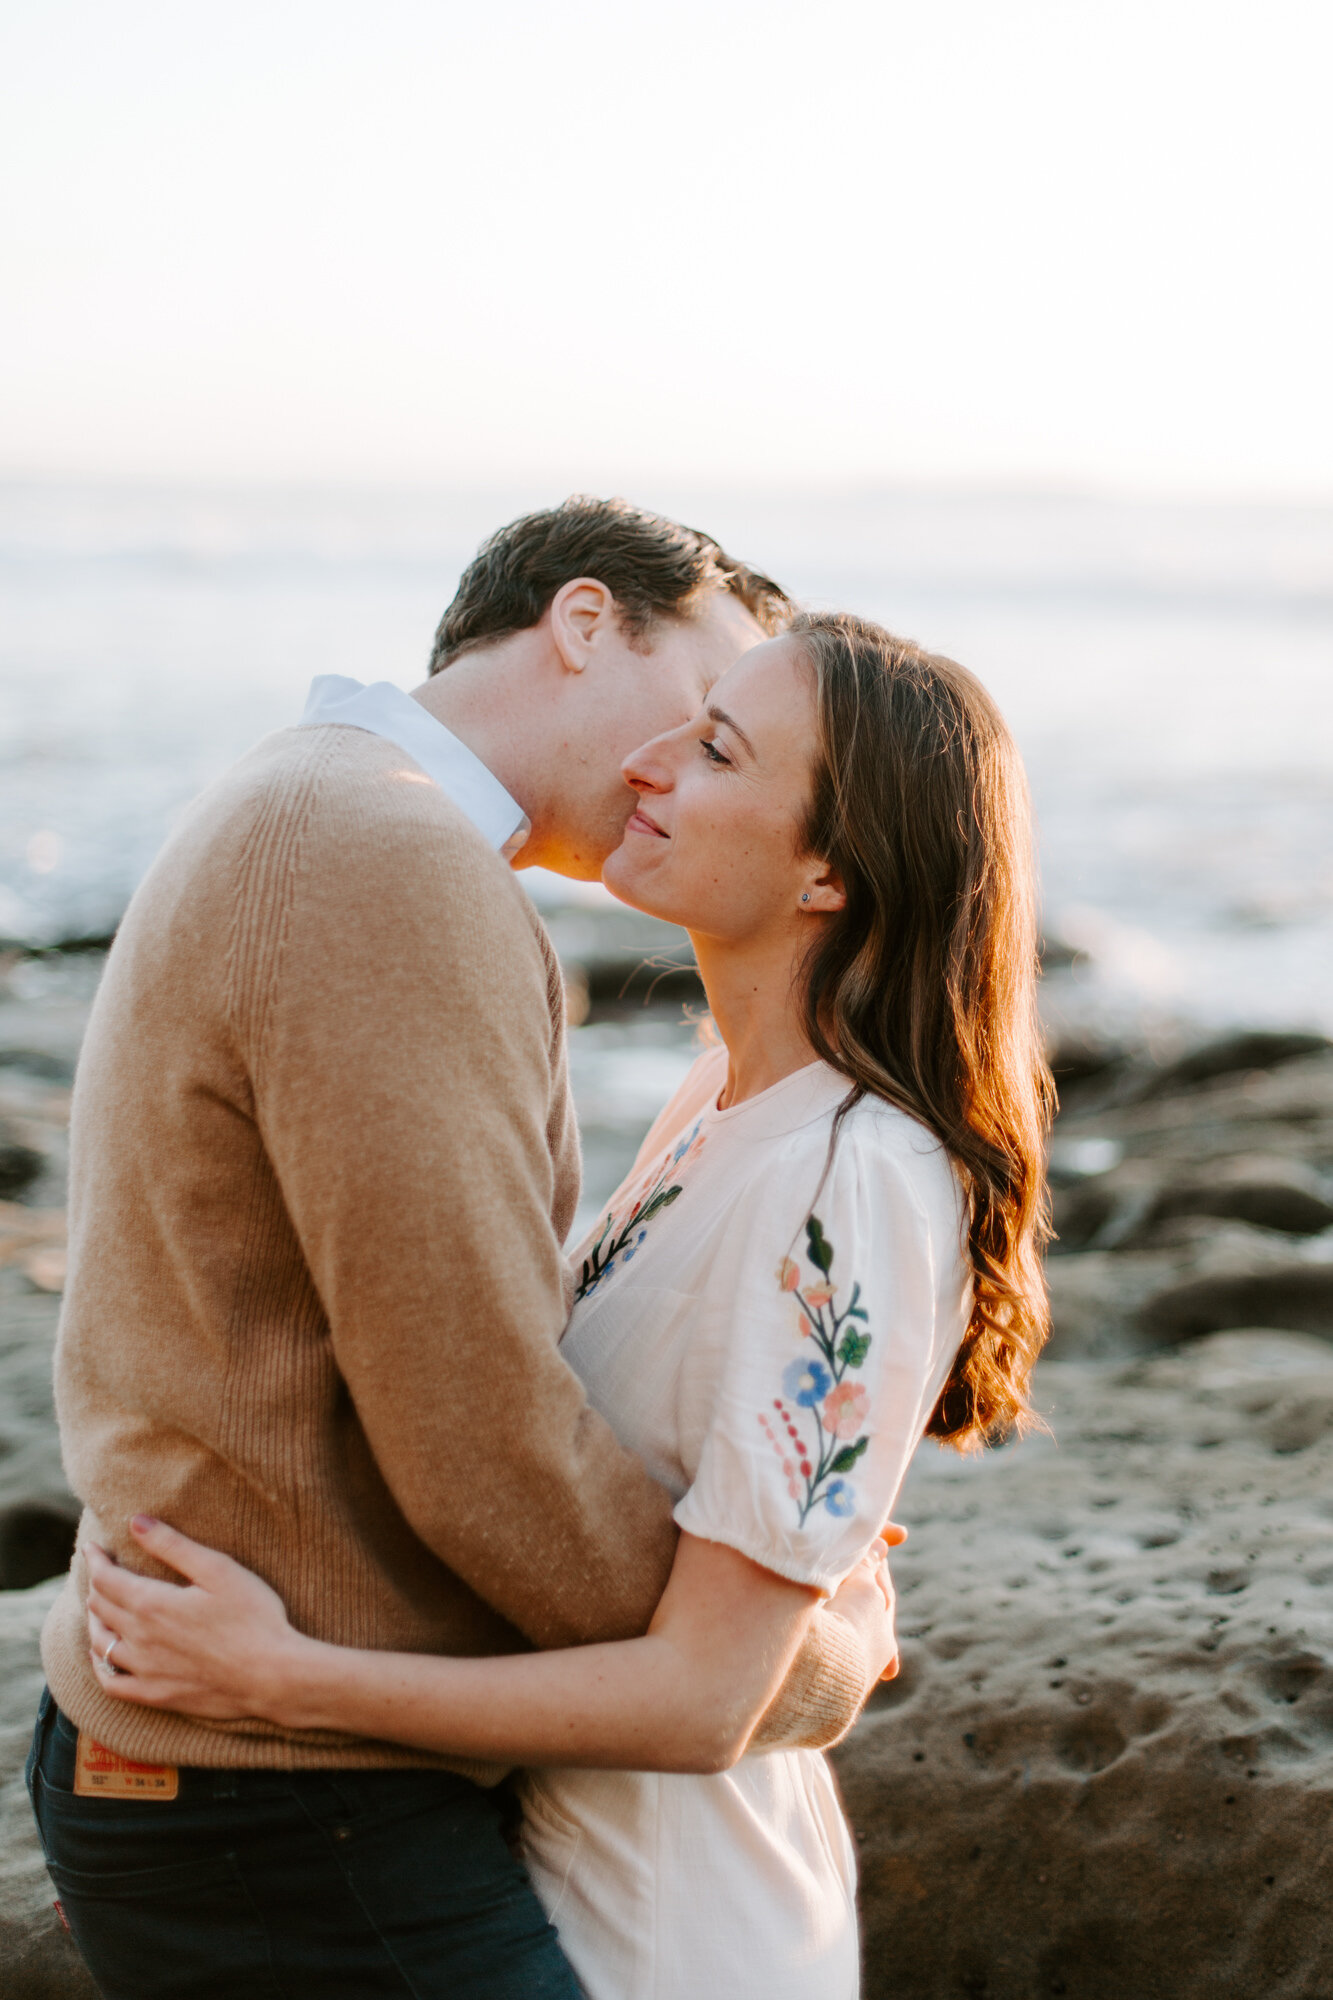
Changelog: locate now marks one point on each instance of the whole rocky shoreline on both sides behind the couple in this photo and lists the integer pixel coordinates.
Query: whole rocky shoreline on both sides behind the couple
(1108, 1765)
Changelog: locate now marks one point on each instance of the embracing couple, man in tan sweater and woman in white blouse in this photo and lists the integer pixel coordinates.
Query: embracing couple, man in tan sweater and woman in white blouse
(453, 1615)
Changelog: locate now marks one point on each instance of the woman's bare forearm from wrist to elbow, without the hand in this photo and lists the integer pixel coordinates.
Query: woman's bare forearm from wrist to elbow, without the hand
(635, 1705)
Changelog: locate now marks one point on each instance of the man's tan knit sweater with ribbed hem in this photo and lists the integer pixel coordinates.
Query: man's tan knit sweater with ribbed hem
(323, 1163)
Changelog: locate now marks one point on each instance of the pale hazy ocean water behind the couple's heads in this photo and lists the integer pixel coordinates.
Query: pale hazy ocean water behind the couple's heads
(1168, 673)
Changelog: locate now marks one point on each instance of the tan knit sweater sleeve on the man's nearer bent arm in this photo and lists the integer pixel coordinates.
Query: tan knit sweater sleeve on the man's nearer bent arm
(399, 1033)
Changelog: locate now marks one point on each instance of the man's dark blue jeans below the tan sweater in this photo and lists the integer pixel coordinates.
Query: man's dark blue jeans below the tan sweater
(315, 1885)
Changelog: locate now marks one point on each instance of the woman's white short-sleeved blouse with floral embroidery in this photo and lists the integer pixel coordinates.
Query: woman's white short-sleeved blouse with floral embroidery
(768, 1325)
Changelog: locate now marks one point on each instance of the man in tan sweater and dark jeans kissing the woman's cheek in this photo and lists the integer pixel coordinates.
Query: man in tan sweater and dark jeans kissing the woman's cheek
(323, 1161)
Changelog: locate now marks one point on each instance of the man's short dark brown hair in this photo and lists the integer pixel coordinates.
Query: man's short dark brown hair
(653, 567)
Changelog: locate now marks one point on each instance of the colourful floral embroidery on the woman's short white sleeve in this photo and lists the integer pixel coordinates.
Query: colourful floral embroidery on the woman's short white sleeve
(818, 1389)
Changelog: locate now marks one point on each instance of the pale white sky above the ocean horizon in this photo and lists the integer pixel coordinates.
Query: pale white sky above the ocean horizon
(607, 243)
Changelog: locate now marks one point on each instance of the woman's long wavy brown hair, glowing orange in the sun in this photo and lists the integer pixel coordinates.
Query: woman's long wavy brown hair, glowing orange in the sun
(924, 989)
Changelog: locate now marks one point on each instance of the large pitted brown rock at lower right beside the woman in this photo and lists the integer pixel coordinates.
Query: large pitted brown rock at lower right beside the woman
(1108, 1765)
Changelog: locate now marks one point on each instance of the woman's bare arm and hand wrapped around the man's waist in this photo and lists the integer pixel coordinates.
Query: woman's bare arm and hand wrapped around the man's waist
(686, 1697)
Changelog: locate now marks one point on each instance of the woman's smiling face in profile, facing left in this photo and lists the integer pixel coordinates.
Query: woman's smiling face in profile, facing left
(716, 843)
